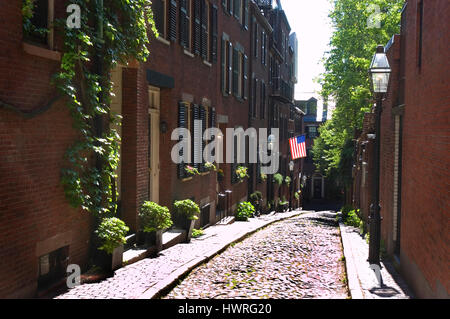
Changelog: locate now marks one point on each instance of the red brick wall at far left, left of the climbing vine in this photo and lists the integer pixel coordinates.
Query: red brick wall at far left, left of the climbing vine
(35, 217)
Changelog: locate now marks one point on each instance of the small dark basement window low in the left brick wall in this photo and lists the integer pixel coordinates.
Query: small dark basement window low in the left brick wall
(52, 267)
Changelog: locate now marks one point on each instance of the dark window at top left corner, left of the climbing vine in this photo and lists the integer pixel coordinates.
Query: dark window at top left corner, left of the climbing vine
(38, 29)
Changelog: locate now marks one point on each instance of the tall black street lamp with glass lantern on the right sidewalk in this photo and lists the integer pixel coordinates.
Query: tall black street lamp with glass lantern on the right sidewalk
(380, 72)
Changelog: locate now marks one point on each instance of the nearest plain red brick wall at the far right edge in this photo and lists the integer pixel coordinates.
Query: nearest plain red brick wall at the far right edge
(426, 155)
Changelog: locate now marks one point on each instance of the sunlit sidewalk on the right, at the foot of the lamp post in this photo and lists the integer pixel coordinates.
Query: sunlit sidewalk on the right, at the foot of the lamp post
(362, 280)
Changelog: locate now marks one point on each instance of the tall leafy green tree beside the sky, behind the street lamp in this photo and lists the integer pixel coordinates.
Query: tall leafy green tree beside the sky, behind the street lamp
(346, 79)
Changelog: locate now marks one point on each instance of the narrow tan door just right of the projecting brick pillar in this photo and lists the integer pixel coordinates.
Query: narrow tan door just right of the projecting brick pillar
(154, 98)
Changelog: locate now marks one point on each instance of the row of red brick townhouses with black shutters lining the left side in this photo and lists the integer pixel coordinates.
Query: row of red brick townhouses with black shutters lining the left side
(227, 64)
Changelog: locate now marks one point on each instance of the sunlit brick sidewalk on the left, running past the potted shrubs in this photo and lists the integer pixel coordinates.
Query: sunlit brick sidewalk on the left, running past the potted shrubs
(150, 277)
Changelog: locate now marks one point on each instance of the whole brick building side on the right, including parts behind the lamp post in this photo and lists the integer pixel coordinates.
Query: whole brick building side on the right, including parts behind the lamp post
(414, 196)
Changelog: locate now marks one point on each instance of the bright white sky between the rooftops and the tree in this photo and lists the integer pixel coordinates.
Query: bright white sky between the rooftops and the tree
(309, 20)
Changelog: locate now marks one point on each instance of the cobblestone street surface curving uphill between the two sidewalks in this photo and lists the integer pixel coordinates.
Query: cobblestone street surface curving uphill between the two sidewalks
(300, 257)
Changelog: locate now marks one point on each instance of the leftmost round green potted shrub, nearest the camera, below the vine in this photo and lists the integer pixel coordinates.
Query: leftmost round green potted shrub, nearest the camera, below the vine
(111, 233)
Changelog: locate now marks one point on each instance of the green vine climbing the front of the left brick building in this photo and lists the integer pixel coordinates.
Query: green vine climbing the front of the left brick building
(110, 34)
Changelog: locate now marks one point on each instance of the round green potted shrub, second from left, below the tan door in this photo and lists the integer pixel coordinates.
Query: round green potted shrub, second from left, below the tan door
(154, 217)
